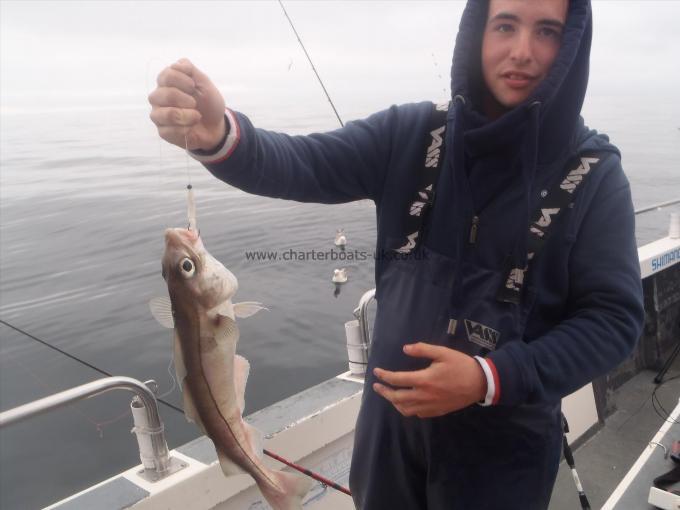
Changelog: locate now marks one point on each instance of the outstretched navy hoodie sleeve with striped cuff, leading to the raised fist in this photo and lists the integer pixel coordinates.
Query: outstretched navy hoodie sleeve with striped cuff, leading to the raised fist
(339, 166)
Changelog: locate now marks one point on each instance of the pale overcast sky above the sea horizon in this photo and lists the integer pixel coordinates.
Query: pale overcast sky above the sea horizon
(369, 53)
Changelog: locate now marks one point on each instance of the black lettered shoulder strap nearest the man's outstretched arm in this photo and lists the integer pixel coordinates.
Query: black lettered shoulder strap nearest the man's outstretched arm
(424, 197)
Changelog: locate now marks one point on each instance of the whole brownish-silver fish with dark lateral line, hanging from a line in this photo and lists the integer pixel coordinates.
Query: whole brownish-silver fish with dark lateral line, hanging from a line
(212, 376)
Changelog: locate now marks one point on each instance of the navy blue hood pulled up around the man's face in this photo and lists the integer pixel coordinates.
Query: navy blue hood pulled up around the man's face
(559, 97)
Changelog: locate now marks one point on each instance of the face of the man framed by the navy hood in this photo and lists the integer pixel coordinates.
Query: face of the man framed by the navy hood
(521, 41)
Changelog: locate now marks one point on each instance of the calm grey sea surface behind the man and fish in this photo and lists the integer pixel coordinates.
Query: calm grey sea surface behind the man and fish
(85, 195)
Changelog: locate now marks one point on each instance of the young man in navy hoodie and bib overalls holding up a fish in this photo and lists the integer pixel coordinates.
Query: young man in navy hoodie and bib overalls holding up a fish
(478, 333)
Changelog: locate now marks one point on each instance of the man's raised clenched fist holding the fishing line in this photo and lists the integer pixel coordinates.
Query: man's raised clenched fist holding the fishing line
(187, 108)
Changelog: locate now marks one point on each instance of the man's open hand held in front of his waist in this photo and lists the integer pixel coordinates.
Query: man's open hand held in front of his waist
(453, 381)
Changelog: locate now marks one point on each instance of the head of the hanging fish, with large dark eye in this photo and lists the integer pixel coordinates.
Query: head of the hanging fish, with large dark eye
(192, 274)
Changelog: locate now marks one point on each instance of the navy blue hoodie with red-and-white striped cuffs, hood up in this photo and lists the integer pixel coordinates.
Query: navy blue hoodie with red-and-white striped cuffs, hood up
(583, 299)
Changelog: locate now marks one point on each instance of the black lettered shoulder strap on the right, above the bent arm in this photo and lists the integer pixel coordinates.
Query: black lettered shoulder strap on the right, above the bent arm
(561, 196)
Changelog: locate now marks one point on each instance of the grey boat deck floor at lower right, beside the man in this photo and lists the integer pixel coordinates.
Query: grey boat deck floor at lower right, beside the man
(604, 459)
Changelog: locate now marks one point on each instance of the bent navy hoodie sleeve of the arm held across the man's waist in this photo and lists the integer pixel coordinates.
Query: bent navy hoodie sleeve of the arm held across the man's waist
(605, 311)
